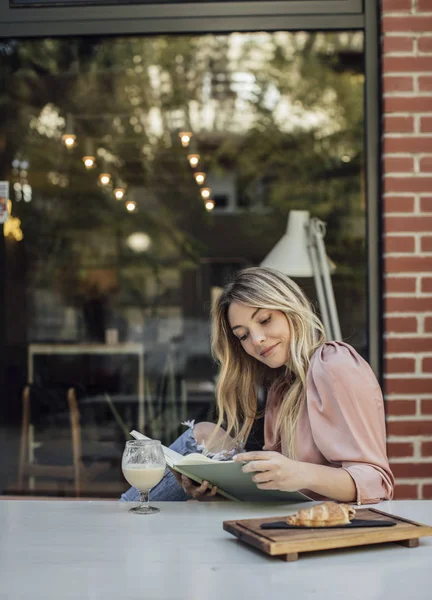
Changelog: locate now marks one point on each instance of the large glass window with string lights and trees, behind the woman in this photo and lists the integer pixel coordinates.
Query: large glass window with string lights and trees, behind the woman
(144, 172)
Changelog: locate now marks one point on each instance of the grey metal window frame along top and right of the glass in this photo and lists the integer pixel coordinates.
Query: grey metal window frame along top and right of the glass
(211, 17)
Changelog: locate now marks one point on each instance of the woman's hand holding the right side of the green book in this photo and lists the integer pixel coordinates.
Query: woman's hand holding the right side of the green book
(273, 471)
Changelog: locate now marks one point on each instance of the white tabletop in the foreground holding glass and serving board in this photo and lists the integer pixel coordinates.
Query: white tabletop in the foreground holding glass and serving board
(97, 550)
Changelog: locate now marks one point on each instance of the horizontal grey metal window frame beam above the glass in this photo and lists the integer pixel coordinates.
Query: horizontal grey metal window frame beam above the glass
(181, 17)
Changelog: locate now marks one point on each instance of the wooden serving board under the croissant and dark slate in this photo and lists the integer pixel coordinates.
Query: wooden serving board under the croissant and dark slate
(287, 544)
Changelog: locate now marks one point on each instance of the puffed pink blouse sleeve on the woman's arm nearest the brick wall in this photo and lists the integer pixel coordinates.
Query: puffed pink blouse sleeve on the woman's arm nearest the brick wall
(346, 413)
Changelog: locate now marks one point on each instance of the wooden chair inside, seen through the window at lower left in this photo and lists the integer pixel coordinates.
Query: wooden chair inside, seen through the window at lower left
(76, 471)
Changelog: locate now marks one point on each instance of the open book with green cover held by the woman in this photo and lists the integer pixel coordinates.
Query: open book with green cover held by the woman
(227, 476)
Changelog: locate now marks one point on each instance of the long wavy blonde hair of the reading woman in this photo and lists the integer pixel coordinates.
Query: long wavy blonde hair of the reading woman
(241, 375)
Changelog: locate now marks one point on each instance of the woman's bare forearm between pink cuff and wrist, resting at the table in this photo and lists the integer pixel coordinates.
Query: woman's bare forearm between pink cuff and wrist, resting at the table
(335, 483)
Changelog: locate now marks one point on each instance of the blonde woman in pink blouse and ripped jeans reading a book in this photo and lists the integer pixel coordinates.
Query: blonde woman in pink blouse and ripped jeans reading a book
(324, 424)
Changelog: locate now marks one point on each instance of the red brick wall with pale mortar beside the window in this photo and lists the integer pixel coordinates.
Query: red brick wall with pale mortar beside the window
(407, 171)
